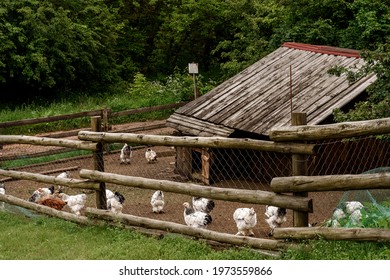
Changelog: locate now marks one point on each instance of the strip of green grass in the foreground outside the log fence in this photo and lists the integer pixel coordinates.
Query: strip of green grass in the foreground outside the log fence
(46, 238)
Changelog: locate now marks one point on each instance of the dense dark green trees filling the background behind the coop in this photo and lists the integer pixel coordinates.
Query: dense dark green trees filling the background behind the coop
(49, 46)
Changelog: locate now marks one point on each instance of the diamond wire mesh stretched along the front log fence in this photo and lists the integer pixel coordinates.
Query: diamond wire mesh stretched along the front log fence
(225, 168)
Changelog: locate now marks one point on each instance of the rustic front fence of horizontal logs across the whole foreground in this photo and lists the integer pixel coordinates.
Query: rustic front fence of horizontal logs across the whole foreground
(93, 179)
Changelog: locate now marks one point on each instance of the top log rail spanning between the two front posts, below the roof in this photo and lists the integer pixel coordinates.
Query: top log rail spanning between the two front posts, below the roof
(200, 142)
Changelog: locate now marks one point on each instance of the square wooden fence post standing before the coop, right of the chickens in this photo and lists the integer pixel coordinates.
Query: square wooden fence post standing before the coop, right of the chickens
(299, 168)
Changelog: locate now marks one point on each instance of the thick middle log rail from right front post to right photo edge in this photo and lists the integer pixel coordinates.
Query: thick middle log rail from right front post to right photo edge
(331, 183)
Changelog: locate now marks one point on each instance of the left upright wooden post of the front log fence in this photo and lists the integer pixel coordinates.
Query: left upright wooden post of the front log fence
(98, 162)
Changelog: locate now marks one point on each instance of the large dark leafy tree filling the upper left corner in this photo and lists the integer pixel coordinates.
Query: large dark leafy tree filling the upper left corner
(56, 45)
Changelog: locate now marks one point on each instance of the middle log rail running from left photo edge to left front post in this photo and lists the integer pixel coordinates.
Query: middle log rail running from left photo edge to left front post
(70, 182)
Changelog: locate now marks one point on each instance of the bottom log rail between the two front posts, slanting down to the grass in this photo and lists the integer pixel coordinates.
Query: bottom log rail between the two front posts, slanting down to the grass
(126, 219)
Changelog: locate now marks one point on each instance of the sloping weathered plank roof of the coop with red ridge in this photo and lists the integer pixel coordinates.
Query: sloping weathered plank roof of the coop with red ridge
(259, 98)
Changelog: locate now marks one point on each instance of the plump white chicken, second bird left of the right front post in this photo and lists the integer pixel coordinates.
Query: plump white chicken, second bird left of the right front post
(246, 220)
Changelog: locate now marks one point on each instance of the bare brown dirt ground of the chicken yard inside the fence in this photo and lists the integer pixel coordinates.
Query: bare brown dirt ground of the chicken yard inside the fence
(138, 200)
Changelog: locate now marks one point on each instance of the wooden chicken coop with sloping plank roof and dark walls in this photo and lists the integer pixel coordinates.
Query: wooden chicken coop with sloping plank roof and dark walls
(296, 78)
